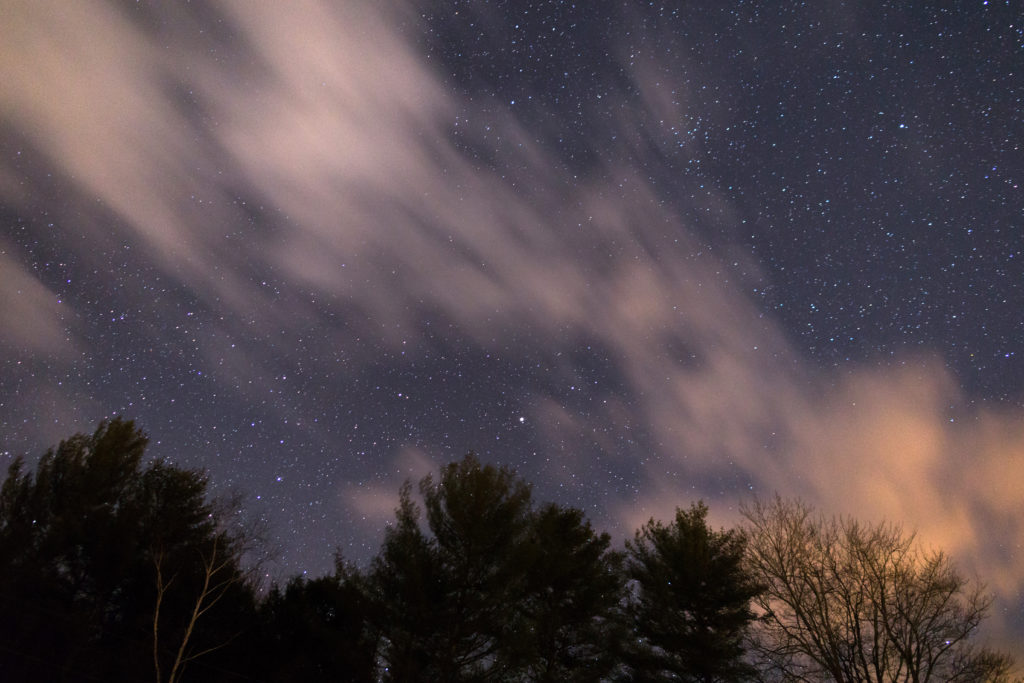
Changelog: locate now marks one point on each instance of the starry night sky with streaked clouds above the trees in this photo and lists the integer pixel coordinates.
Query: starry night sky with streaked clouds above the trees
(644, 253)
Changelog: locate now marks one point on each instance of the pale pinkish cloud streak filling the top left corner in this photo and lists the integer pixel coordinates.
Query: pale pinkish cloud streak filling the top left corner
(84, 87)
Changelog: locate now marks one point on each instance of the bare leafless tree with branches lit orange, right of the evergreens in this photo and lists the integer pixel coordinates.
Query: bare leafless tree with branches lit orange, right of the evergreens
(848, 602)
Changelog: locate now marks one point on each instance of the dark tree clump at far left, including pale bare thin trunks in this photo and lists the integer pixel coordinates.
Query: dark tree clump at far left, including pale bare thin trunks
(104, 562)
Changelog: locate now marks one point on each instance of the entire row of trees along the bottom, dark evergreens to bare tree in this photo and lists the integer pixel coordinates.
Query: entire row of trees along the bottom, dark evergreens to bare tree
(115, 569)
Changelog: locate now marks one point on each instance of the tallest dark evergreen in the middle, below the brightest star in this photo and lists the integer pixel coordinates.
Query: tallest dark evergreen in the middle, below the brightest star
(448, 599)
